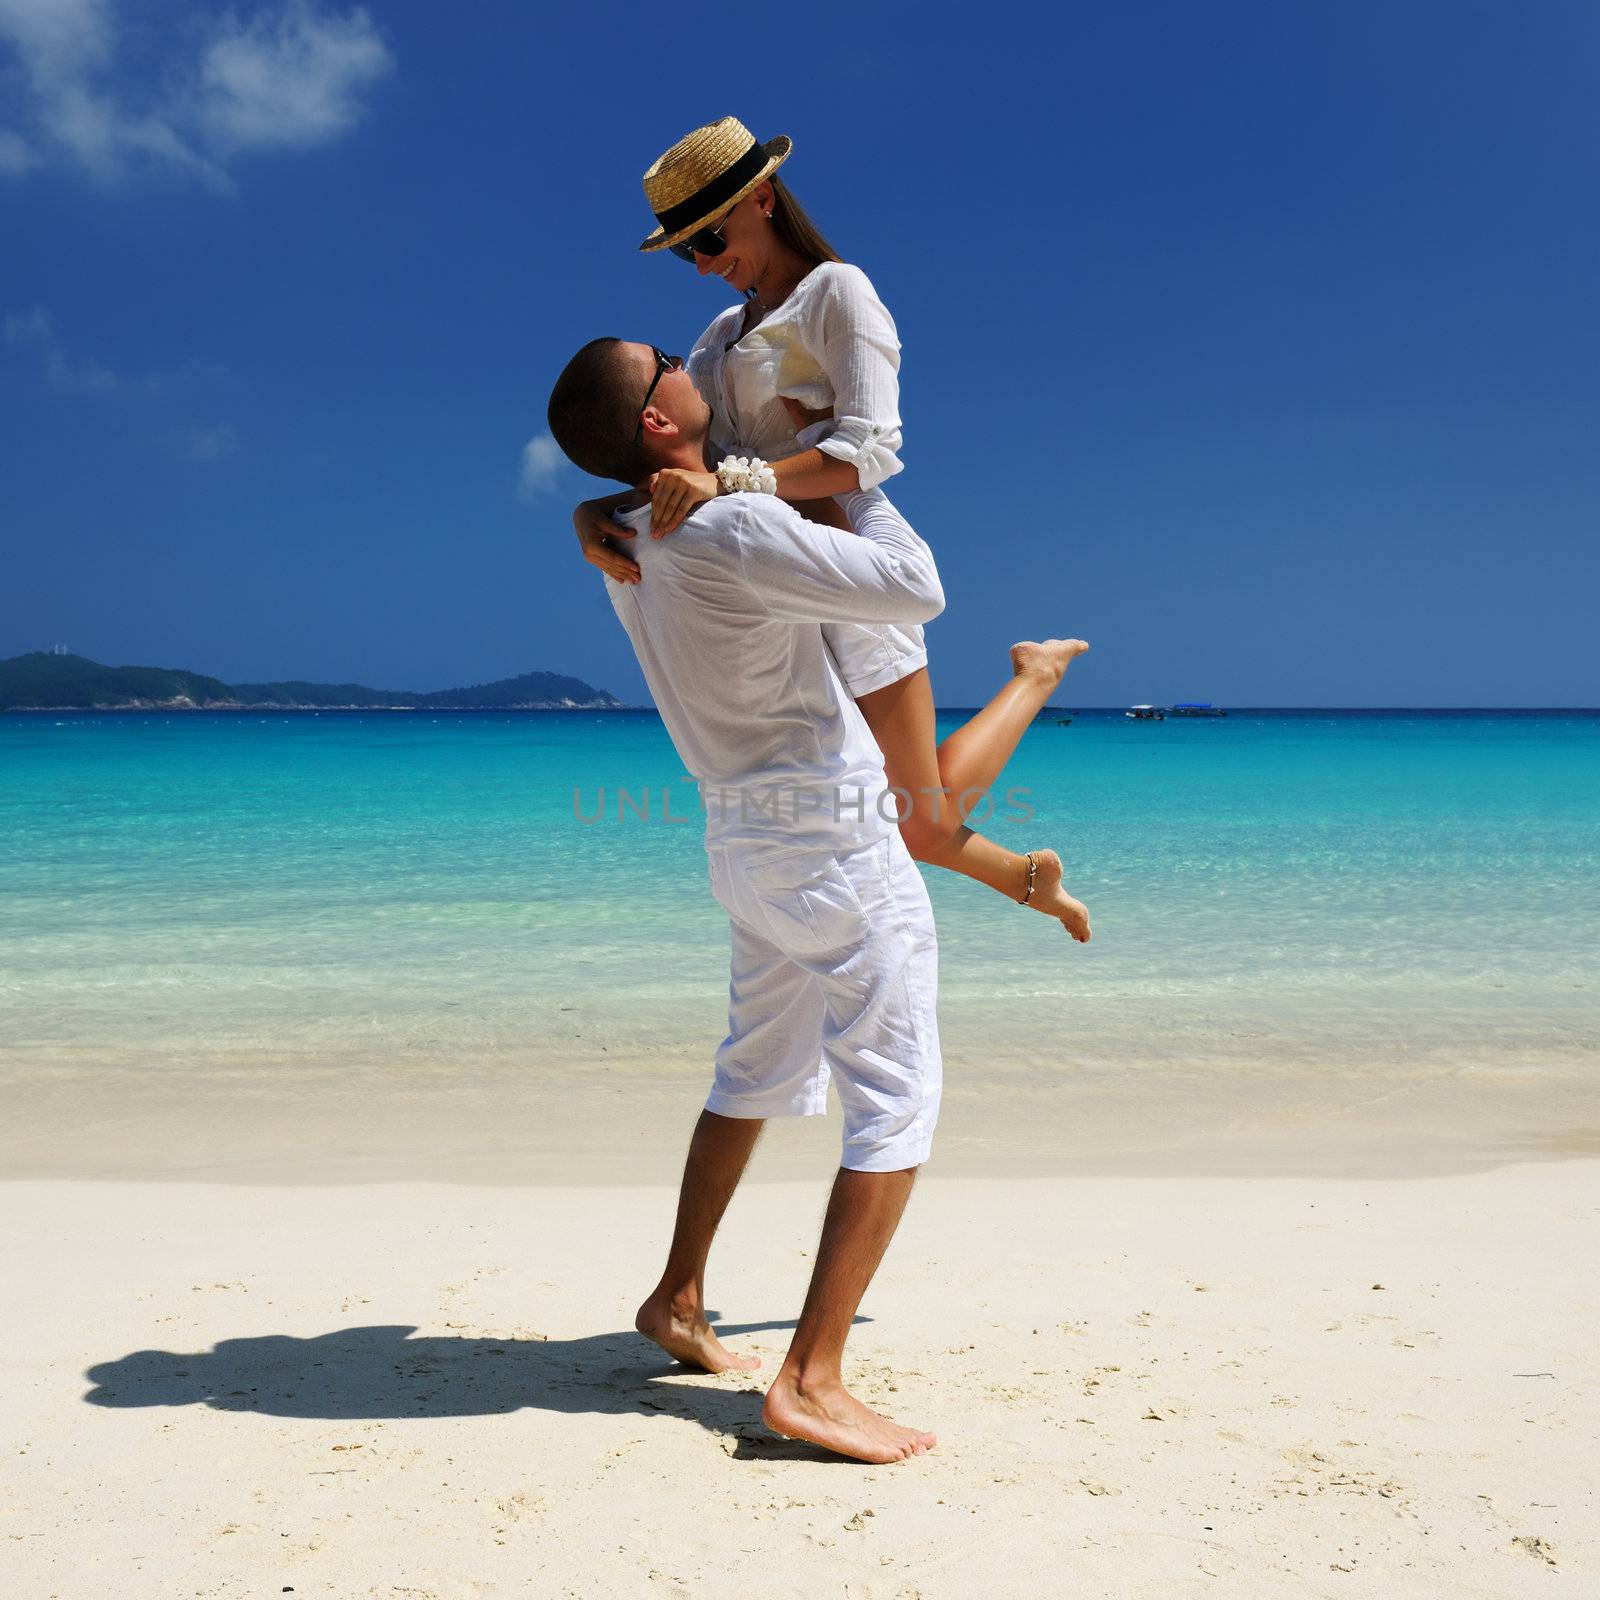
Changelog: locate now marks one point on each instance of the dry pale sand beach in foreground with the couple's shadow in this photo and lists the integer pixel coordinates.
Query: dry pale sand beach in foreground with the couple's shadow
(1143, 1386)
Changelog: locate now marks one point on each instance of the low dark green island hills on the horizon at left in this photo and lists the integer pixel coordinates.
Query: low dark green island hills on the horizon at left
(49, 682)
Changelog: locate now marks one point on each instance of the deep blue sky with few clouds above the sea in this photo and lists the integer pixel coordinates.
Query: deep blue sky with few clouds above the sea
(1254, 343)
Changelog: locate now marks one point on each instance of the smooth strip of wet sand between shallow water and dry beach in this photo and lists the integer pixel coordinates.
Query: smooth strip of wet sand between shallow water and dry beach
(271, 1119)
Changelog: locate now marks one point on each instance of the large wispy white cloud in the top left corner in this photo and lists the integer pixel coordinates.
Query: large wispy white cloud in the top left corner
(290, 78)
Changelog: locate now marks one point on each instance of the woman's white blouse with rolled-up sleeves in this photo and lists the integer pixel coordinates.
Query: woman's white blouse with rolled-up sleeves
(831, 346)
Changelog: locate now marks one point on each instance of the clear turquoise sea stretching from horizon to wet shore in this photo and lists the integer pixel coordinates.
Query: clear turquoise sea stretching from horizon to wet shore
(238, 894)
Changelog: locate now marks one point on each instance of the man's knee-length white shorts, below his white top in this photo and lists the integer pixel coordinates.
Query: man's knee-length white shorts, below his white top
(836, 975)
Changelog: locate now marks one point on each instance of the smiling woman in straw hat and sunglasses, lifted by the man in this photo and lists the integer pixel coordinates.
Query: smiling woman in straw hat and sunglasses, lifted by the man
(804, 374)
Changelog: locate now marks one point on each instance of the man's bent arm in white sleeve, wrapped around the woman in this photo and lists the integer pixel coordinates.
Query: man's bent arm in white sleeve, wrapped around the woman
(802, 572)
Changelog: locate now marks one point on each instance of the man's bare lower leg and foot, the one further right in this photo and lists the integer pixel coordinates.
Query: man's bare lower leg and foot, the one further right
(809, 1398)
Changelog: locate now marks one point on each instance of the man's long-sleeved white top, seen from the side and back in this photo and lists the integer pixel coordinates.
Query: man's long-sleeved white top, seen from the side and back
(727, 628)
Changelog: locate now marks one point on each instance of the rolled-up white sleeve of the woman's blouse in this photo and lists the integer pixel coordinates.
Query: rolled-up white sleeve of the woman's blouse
(857, 345)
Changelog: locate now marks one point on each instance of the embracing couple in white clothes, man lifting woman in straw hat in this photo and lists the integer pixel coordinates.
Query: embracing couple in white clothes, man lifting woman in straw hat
(777, 612)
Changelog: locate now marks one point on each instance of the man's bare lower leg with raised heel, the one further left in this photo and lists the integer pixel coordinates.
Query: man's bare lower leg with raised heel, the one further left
(676, 1313)
